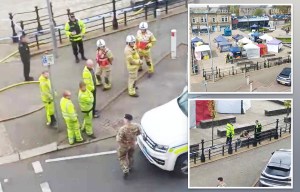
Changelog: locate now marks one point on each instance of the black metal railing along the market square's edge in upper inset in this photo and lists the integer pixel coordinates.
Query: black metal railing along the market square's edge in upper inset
(247, 66)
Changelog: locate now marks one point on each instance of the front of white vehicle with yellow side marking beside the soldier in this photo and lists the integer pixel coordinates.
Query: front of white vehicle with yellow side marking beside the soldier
(164, 135)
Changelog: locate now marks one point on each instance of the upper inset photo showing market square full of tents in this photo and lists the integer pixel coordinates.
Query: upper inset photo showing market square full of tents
(240, 48)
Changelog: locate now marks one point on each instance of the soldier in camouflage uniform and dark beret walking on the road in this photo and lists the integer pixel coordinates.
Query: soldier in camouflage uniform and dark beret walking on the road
(126, 138)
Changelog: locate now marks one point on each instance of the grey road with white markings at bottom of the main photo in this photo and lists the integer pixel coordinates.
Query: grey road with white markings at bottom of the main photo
(92, 174)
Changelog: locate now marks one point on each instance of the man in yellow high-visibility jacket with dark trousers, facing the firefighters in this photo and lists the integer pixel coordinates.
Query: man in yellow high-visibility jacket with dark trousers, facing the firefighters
(89, 78)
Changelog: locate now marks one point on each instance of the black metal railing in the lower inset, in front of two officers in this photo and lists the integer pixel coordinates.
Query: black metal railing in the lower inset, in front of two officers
(204, 152)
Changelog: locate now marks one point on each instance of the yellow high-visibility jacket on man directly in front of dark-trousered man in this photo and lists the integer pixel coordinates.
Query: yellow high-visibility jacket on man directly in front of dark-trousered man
(86, 100)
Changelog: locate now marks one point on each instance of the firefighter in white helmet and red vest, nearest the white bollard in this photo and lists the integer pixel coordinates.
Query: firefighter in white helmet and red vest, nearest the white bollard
(145, 40)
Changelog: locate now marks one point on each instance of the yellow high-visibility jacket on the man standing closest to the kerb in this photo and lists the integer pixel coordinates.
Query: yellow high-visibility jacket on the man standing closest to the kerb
(68, 110)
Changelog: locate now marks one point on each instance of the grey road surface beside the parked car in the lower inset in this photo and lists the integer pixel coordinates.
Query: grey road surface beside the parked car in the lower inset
(245, 168)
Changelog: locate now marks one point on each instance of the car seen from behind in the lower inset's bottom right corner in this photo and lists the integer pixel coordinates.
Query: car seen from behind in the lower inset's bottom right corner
(278, 171)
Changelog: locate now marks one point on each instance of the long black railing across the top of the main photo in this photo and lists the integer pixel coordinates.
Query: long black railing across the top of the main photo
(38, 28)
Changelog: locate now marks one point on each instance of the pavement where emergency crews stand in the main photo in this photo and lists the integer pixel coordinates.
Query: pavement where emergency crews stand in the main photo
(30, 131)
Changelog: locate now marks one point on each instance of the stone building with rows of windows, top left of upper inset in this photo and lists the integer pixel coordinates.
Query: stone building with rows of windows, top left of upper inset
(216, 18)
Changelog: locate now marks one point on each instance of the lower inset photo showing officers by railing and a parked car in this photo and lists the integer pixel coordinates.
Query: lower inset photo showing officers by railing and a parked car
(240, 143)
